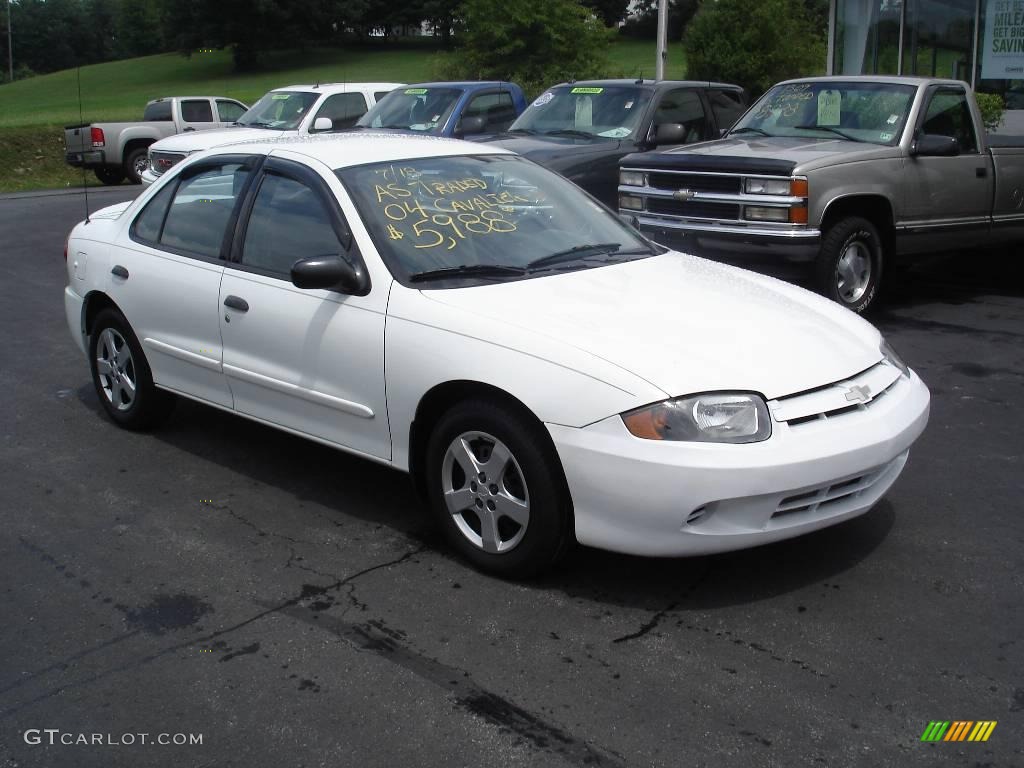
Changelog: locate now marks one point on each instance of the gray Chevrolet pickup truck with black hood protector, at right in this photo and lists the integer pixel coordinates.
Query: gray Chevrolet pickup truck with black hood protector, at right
(850, 174)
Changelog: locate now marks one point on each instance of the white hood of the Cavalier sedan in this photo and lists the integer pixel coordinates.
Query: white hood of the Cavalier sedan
(686, 325)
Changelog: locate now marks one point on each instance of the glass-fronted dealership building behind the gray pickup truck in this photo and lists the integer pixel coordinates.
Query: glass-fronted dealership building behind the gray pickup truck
(980, 41)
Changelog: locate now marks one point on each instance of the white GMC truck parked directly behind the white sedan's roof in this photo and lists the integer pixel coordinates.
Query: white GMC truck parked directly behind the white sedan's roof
(294, 110)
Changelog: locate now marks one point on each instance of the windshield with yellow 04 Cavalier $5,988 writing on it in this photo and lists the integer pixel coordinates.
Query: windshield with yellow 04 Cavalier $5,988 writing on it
(486, 218)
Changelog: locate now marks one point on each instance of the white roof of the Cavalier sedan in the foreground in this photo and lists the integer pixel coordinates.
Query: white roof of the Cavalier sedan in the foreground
(360, 148)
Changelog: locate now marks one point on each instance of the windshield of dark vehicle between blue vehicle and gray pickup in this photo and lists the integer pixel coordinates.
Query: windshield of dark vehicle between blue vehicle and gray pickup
(606, 112)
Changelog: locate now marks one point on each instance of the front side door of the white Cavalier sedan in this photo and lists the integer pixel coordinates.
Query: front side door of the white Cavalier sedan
(311, 361)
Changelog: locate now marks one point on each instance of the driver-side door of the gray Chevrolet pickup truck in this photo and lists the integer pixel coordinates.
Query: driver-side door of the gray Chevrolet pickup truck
(948, 198)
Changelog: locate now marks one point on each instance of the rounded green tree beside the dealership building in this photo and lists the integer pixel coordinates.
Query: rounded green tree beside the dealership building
(754, 45)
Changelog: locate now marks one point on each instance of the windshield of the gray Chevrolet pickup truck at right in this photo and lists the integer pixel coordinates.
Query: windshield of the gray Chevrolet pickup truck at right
(874, 113)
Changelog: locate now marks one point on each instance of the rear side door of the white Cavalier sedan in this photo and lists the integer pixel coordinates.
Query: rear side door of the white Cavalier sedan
(166, 275)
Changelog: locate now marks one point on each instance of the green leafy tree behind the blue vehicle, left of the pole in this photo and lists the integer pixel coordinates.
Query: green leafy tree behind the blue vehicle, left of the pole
(534, 44)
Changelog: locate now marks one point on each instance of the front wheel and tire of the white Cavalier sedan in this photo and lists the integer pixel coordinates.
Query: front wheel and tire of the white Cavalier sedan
(515, 524)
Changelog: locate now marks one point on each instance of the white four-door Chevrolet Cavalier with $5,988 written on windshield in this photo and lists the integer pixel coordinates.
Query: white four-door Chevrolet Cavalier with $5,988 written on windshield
(461, 314)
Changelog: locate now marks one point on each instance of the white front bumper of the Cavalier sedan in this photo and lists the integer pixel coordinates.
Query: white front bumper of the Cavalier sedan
(669, 499)
